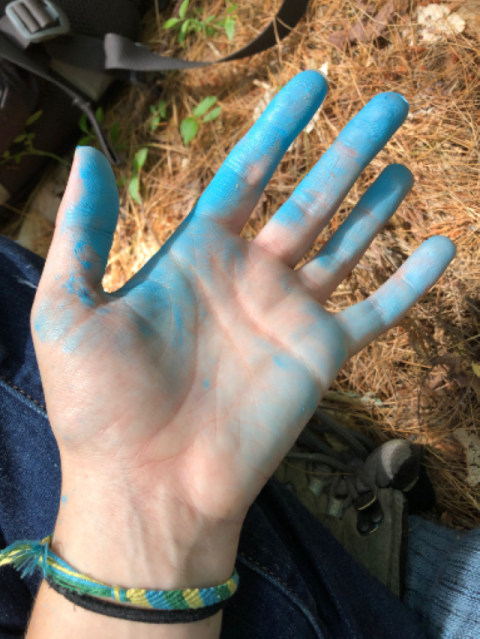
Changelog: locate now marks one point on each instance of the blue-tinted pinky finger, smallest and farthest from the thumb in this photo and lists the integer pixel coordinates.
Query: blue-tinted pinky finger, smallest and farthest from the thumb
(365, 321)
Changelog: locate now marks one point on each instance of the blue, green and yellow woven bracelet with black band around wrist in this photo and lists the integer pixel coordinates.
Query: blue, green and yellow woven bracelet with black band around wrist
(188, 604)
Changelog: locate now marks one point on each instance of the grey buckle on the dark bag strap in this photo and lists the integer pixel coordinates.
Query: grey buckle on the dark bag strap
(37, 20)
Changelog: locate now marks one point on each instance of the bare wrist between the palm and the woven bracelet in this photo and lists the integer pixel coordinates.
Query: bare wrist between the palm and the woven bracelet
(119, 540)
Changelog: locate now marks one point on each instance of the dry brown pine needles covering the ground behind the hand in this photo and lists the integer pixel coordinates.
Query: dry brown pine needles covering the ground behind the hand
(409, 388)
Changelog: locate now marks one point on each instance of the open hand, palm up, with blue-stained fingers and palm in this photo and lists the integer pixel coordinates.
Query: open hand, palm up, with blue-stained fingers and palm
(181, 392)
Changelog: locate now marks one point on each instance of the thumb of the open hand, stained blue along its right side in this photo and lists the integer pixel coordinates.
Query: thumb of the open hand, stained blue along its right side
(85, 226)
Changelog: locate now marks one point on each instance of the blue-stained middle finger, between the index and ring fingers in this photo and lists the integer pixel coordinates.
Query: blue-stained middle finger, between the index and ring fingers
(296, 225)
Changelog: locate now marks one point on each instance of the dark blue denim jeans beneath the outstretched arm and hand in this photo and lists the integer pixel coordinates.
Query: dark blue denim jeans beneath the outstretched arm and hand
(296, 580)
